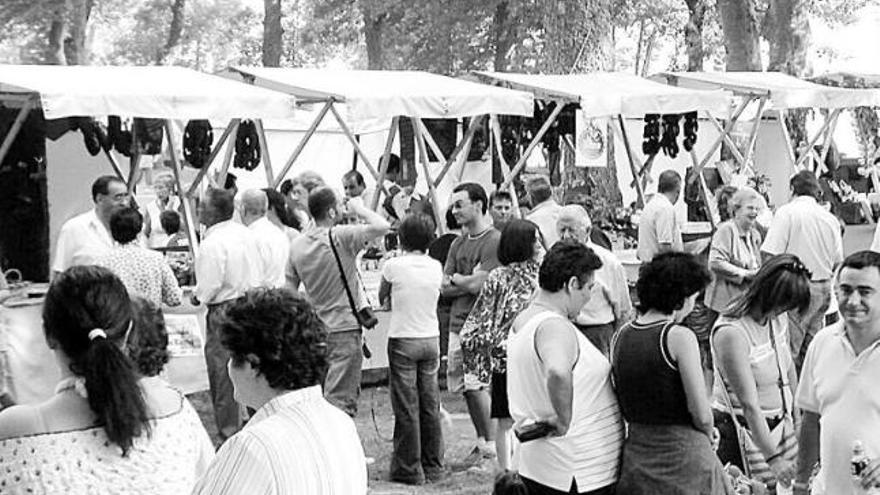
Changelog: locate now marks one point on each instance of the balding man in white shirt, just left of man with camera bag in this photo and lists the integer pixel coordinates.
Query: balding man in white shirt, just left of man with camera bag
(273, 245)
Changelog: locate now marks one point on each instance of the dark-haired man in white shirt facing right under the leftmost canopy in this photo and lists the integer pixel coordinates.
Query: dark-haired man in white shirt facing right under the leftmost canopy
(86, 237)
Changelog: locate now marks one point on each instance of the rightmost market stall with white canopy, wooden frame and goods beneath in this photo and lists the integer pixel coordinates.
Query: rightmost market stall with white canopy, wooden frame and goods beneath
(767, 95)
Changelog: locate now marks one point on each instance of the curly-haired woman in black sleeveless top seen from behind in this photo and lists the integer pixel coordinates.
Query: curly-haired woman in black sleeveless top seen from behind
(661, 390)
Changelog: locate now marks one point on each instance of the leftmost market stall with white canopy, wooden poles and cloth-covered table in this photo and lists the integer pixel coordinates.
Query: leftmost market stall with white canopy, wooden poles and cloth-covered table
(57, 93)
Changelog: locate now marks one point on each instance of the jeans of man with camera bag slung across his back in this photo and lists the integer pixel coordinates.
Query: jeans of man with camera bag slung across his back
(342, 384)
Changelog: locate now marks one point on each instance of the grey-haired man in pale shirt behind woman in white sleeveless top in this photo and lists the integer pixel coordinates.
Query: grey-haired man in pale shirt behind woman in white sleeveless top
(610, 305)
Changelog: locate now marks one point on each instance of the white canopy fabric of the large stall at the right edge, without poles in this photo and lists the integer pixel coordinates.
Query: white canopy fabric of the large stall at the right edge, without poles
(784, 91)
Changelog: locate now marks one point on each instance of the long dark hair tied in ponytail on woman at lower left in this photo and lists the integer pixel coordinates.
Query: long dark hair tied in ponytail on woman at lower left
(80, 300)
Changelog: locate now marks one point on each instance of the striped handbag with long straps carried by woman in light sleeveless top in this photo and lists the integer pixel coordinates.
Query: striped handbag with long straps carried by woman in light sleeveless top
(783, 434)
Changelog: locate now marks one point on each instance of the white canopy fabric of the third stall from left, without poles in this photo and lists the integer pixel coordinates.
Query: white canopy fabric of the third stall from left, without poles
(603, 94)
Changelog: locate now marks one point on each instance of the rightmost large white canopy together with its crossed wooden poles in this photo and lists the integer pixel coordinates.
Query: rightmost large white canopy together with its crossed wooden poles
(779, 92)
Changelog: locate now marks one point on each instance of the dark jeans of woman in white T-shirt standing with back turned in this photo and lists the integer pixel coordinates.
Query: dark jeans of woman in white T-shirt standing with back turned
(415, 400)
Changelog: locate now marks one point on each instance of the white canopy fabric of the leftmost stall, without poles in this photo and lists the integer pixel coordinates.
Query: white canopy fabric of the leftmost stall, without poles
(148, 92)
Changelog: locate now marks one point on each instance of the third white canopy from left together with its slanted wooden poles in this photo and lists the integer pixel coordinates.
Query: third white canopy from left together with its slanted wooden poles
(615, 95)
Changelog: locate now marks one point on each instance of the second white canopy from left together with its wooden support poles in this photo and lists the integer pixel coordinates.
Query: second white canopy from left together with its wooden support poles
(356, 98)
